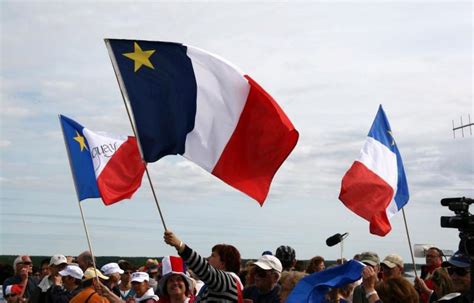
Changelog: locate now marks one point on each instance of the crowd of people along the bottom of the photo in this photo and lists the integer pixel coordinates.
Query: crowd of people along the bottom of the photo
(189, 277)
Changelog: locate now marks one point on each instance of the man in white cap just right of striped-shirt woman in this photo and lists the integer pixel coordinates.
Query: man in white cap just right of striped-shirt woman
(267, 273)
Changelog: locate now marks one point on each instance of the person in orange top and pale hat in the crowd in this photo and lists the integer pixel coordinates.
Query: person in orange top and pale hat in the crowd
(90, 281)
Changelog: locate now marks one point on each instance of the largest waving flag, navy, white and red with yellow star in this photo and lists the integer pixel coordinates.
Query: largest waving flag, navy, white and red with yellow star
(190, 102)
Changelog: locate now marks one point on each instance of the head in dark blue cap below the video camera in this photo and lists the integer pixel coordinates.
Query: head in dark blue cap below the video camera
(459, 271)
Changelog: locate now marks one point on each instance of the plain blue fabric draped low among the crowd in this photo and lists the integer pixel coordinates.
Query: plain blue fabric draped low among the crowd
(313, 288)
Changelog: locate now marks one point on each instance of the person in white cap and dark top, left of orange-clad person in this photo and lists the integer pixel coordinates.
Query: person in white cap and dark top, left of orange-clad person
(71, 278)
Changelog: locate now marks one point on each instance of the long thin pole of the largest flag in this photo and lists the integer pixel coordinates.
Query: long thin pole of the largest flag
(126, 102)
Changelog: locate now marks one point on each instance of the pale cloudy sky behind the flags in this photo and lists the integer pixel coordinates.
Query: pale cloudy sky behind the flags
(328, 64)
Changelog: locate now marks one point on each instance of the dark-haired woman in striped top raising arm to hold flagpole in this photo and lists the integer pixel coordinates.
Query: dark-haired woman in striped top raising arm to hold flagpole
(219, 272)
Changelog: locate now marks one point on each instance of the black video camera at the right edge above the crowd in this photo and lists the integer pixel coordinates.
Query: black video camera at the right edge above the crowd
(463, 221)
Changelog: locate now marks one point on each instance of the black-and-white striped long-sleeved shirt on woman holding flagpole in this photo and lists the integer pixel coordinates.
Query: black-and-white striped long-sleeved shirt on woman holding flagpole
(221, 286)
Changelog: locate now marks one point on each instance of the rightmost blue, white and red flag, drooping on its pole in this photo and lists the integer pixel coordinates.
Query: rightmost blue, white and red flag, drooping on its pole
(375, 187)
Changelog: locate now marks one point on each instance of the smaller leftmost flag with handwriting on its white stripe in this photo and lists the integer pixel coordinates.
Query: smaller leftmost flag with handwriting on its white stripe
(102, 166)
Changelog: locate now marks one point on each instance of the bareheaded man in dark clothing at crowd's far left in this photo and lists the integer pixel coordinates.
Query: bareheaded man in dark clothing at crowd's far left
(23, 275)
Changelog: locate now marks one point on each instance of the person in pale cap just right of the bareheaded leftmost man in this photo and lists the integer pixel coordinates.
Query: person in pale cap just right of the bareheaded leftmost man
(56, 264)
